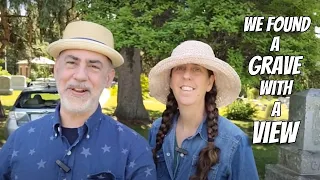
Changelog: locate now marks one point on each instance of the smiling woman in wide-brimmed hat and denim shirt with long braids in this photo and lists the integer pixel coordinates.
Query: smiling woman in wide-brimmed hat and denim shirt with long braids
(191, 140)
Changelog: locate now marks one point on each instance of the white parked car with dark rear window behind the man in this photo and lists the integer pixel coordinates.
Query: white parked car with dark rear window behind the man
(34, 102)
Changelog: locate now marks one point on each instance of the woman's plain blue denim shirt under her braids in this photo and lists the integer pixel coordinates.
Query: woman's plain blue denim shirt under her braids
(236, 156)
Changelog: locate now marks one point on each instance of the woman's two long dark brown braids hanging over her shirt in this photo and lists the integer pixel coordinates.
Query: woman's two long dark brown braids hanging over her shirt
(209, 155)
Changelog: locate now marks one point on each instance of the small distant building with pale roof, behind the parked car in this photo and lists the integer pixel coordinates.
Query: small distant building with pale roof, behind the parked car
(42, 61)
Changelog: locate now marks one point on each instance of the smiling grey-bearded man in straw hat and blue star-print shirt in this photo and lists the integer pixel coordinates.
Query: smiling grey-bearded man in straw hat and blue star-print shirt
(78, 141)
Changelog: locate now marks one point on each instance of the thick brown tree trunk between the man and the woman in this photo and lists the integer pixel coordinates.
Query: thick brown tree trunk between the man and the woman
(130, 104)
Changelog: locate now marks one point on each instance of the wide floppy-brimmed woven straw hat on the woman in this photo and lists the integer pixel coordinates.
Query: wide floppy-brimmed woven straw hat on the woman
(195, 52)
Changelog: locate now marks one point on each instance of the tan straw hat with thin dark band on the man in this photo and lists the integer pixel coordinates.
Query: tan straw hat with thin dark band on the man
(89, 36)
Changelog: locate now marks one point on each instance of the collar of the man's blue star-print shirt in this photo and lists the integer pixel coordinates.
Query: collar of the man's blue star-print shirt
(90, 124)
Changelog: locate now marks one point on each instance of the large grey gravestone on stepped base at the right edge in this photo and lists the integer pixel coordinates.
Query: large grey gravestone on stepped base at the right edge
(300, 160)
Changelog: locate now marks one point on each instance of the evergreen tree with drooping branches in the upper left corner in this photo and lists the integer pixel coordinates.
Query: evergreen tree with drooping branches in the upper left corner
(30, 25)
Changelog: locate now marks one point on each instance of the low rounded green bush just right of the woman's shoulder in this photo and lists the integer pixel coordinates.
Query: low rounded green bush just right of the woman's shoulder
(240, 110)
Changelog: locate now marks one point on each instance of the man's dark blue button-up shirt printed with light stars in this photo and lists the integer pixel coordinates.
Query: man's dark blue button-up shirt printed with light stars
(105, 149)
